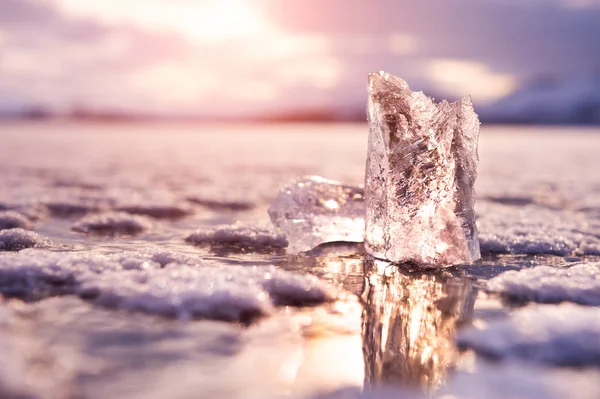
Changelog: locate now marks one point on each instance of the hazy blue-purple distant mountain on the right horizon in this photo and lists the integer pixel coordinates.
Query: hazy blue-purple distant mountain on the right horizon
(549, 101)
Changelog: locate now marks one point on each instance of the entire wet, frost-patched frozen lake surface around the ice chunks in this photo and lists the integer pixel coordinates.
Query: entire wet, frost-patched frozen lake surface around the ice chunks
(176, 286)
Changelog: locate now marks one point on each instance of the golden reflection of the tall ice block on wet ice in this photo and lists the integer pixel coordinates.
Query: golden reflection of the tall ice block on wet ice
(409, 322)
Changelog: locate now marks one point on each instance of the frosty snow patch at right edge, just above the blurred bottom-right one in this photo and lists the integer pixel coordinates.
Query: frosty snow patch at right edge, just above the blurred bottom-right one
(579, 283)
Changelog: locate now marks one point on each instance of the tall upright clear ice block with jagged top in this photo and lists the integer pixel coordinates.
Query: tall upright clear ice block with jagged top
(421, 169)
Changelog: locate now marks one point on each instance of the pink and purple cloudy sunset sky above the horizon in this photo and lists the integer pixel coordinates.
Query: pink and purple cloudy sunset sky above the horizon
(231, 57)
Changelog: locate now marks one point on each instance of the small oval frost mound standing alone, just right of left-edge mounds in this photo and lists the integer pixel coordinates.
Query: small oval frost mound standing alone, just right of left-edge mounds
(113, 223)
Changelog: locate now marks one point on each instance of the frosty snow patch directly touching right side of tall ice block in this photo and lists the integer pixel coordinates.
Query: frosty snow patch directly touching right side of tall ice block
(532, 229)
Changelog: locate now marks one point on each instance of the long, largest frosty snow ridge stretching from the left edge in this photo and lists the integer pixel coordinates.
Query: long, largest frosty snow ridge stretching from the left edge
(155, 282)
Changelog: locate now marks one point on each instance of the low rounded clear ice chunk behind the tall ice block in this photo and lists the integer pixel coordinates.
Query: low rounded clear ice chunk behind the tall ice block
(313, 210)
